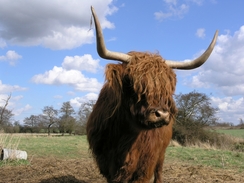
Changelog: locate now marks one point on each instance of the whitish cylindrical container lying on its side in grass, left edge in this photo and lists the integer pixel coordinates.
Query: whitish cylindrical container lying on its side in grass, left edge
(13, 154)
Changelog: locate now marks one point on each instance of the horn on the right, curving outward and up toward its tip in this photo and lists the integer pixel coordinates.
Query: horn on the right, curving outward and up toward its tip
(194, 63)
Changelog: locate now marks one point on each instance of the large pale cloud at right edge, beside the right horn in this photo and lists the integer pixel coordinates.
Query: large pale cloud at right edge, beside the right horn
(223, 75)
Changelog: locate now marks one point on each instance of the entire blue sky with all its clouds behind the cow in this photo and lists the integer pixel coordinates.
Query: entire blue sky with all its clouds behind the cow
(48, 54)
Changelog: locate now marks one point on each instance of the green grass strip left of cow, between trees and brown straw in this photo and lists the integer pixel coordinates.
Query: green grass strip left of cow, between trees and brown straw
(57, 146)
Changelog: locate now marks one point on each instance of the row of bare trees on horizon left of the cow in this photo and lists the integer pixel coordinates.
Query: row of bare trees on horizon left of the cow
(51, 120)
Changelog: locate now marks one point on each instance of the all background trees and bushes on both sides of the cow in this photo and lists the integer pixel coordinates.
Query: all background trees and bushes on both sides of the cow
(195, 113)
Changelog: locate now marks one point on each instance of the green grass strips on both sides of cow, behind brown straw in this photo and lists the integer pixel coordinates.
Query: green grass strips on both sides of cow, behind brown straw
(76, 147)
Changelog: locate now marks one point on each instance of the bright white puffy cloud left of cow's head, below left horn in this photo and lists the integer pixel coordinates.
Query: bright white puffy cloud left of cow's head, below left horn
(70, 74)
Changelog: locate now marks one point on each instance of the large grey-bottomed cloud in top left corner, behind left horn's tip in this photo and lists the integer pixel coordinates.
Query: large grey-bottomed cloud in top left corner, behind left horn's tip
(53, 24)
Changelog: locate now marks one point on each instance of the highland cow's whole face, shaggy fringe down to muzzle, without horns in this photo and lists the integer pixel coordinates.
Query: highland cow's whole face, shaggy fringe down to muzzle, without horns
(148, 86)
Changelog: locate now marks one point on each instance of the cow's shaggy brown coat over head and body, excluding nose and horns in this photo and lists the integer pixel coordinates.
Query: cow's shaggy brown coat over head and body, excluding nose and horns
(123, 145)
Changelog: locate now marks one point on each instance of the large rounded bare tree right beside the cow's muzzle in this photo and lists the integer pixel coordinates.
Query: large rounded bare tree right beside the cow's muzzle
(194, 114)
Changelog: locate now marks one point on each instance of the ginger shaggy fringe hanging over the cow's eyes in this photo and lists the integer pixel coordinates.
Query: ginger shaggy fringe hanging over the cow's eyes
(153, 78)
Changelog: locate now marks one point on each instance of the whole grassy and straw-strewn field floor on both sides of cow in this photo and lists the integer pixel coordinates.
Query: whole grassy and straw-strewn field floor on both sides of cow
(67, 159)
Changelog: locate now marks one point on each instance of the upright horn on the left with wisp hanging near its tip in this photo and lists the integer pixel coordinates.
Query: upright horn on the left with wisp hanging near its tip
(101, 47)
